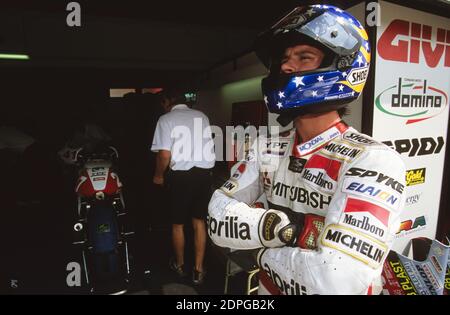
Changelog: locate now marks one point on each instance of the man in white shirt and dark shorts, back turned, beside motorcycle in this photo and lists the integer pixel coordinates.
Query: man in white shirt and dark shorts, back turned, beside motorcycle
(184, 144)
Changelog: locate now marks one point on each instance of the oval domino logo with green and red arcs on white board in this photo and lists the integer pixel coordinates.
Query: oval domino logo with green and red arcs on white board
(412, 99)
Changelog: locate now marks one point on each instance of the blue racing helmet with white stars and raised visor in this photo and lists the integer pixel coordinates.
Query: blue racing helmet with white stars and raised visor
(339, 79)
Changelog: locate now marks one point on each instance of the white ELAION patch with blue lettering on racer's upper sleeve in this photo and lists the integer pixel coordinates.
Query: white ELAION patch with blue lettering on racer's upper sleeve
(372, 191)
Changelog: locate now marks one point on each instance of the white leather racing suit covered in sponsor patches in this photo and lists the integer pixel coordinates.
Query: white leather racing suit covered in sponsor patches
(345, 187)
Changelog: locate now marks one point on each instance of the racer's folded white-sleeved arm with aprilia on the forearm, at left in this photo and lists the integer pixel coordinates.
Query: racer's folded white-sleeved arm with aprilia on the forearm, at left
(232, 222)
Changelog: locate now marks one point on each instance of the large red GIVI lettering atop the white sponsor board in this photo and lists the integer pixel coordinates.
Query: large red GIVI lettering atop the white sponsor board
(406, 42)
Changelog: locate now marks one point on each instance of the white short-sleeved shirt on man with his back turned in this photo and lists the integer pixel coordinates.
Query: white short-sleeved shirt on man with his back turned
(186, 133)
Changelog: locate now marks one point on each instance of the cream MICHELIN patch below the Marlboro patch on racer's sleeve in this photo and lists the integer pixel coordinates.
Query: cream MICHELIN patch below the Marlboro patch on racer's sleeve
(355, 244)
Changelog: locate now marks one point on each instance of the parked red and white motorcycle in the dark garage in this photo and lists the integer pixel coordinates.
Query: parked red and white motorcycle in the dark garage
(101, 230)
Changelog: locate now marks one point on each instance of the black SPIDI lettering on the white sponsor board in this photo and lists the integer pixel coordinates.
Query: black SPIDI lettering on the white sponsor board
(417, 147)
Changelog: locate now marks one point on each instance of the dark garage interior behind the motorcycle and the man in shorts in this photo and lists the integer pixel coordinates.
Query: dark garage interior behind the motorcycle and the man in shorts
(106, 71)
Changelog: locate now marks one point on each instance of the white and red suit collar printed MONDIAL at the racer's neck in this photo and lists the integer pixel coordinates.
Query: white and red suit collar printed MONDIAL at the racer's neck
(301, 149)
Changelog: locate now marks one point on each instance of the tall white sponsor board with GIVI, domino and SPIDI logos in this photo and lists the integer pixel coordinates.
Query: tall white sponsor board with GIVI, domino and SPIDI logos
(411, 108)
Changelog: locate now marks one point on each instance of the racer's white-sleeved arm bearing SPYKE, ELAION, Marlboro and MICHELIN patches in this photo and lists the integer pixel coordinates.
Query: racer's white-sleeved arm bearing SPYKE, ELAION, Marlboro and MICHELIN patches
(359, 230)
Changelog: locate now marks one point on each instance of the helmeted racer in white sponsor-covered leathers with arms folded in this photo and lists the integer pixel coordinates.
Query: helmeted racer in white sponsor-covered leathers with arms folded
(334, 195)
